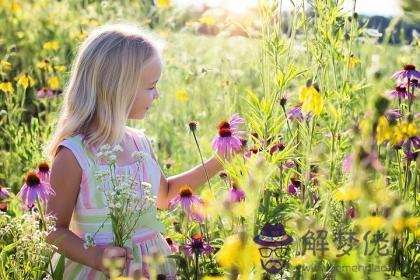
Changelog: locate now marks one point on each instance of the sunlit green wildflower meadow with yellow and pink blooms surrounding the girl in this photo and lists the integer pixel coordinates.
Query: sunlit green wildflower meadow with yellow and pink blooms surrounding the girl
(312, 113)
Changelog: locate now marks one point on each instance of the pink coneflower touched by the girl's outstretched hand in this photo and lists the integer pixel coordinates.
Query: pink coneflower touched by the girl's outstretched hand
(228, 139)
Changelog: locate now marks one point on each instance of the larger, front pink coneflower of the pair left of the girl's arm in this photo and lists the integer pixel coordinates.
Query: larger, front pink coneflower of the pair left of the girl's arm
(33, 188)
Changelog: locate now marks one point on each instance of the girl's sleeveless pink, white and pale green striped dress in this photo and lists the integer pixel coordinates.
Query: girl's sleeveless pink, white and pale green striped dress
(90, 212)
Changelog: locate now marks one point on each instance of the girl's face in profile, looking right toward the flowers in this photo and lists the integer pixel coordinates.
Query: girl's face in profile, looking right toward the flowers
(148, 93)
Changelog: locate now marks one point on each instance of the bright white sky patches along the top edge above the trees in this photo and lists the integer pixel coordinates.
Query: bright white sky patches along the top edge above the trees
(365, 7)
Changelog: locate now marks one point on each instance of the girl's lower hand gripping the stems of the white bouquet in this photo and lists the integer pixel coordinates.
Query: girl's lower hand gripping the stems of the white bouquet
(113, 259)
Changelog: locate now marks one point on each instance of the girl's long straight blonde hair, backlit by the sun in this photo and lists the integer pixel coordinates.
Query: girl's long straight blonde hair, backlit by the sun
(104, 80)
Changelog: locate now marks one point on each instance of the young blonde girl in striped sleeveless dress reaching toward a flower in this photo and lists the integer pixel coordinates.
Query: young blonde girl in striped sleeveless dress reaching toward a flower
(113, 79)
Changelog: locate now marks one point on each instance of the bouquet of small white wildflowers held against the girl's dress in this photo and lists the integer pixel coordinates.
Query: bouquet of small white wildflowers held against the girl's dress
(126, 201)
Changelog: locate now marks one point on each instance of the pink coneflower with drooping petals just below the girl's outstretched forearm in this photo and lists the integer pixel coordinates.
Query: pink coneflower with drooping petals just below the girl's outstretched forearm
(188, 201)
